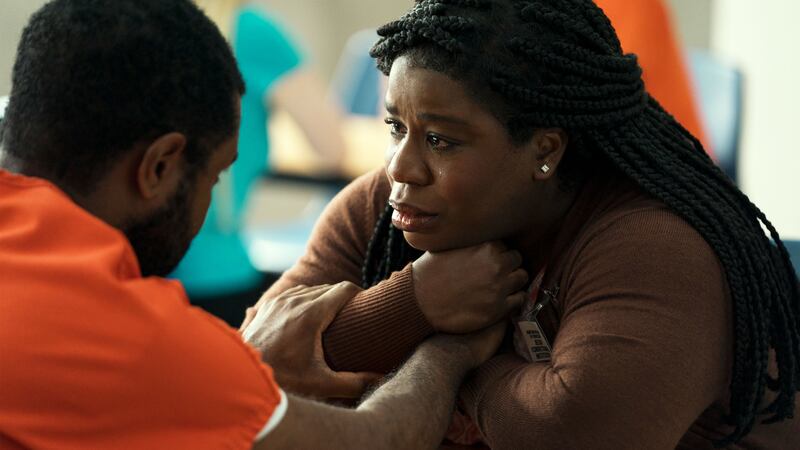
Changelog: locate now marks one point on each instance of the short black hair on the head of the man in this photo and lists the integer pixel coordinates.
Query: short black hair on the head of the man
(93, 78)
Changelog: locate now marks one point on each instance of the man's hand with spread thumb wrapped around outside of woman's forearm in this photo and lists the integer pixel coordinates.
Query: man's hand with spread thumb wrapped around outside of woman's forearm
(288, 332)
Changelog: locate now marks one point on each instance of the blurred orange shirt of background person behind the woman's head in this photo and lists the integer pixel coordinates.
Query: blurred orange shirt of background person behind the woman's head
(645, 28)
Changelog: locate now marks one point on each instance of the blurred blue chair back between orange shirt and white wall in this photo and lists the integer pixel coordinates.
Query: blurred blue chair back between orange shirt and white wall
(719, 86)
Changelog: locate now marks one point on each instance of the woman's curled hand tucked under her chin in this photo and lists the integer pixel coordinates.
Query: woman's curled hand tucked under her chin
(465, 290)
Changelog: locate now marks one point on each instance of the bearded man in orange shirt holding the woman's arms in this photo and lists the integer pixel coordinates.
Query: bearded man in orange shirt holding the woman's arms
(122, 115)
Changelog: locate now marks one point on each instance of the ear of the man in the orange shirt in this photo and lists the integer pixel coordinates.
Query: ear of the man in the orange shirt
(161, 166)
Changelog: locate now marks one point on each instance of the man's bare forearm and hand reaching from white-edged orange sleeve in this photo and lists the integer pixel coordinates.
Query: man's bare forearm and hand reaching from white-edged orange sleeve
(412, 410)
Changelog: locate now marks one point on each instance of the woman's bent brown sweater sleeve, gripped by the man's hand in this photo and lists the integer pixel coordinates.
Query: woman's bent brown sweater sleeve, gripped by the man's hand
(380, 326)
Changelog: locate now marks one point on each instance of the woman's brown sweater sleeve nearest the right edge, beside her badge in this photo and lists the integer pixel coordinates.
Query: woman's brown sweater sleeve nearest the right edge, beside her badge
(641, 351)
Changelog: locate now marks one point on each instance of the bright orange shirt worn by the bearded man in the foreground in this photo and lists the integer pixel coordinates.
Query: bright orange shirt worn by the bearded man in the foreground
(92, 355)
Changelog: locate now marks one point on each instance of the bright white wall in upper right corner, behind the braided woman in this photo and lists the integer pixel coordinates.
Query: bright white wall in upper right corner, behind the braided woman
(762, 38)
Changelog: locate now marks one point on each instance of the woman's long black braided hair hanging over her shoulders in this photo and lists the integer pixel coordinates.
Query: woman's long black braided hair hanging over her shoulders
(559, 63)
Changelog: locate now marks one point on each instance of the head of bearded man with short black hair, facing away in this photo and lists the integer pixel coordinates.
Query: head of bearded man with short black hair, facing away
(132, 108)
